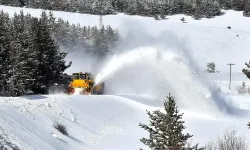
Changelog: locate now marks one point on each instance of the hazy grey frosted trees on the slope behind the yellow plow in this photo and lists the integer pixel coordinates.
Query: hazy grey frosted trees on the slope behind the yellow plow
(91, 40)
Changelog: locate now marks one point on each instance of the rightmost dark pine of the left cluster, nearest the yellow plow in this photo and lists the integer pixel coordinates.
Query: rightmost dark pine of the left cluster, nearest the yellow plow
(51, 61)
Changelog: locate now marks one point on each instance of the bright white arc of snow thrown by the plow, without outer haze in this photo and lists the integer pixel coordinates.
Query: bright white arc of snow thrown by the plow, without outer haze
(148, 71)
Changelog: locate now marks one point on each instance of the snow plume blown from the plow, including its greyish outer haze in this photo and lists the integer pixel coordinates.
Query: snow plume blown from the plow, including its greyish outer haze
(155, 69)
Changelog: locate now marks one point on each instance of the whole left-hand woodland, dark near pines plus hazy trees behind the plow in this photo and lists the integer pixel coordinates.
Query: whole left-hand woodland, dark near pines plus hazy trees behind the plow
(33, 51)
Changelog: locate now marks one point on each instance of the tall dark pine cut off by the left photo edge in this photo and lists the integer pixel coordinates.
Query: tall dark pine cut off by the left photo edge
(5, 46)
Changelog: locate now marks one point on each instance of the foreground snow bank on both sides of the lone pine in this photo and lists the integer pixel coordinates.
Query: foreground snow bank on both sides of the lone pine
(95, 122)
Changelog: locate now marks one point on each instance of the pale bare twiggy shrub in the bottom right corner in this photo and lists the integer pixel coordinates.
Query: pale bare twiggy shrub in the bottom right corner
(229, 141)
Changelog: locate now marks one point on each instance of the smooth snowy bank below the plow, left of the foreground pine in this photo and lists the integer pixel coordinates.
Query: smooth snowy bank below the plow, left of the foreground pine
(89, 121)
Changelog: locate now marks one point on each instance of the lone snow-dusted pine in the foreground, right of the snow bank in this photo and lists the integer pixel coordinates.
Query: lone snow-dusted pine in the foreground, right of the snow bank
(166, 129)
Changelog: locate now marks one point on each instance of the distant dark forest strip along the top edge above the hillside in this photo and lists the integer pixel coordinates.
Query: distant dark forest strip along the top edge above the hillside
(133, 7)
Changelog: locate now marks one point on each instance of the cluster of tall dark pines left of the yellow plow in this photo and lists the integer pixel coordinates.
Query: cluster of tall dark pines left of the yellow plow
(33, 57)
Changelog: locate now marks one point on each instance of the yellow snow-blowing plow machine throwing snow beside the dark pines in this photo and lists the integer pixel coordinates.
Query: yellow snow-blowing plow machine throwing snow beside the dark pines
(84, 84)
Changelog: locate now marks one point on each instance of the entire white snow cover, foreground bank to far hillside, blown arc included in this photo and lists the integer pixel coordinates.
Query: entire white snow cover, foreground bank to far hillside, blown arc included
(162, 56)
